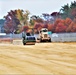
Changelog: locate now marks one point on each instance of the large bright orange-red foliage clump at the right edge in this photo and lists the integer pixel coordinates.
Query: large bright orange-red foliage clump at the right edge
(66, 25)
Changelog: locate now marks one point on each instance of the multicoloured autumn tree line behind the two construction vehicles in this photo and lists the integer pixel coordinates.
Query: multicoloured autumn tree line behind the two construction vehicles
(18, 20)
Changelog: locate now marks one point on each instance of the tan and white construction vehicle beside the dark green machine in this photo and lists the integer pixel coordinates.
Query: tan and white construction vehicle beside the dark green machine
(43, 35)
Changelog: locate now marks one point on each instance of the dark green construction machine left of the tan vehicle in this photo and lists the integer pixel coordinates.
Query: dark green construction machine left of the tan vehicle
(28, 38)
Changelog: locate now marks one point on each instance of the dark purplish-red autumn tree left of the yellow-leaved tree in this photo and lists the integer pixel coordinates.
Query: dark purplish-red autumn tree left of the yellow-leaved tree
(11, 22)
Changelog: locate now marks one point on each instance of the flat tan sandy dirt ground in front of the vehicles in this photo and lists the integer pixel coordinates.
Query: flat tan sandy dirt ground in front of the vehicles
(41, 58)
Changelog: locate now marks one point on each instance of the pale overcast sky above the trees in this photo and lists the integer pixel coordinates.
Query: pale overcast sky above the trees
(36, 7)
